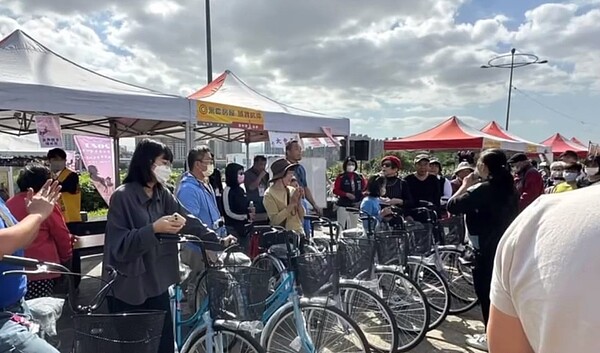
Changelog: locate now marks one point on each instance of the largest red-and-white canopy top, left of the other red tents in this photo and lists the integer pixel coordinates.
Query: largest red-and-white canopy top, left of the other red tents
(452, 134)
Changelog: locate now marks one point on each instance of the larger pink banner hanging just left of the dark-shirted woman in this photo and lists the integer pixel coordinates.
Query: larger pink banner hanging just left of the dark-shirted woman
(98, 157)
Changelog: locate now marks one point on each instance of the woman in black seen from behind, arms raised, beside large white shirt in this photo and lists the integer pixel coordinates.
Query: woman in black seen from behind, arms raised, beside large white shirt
(489, 200)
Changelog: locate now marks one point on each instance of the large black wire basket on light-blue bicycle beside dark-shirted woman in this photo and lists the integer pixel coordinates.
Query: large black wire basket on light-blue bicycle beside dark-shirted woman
(237, 292)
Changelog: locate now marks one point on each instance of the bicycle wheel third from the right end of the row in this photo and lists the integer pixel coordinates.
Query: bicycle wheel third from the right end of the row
(409, 304)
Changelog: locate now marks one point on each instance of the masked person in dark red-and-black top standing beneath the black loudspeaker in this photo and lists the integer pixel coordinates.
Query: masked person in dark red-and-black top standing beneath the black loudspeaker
(349, 187)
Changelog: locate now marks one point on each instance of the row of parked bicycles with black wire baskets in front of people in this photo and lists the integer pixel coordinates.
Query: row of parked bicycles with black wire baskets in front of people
(351, 291)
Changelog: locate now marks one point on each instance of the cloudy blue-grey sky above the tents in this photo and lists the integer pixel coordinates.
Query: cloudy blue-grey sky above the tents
(393, 67)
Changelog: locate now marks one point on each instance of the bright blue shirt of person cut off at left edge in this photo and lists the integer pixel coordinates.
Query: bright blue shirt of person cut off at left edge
(12, 287)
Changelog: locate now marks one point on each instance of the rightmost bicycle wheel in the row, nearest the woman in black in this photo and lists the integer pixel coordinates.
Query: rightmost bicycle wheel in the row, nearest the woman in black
(460, 281)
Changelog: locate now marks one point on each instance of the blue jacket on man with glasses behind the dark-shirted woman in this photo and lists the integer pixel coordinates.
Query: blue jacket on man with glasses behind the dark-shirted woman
(199, 199)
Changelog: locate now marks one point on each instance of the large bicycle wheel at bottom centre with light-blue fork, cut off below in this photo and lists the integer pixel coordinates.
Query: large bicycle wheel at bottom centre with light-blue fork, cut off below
(330, 329)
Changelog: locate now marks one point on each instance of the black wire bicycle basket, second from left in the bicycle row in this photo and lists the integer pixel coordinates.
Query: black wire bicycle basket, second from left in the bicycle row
(314, 271)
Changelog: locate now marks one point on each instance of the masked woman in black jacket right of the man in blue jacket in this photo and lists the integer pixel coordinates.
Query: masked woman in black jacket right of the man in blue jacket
(235, 204)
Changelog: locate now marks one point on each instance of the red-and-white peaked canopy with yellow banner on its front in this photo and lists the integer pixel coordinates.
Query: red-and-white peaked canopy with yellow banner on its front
(229, 91)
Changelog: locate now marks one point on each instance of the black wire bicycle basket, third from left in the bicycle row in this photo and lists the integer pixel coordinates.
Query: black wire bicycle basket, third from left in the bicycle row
(356, 255)
